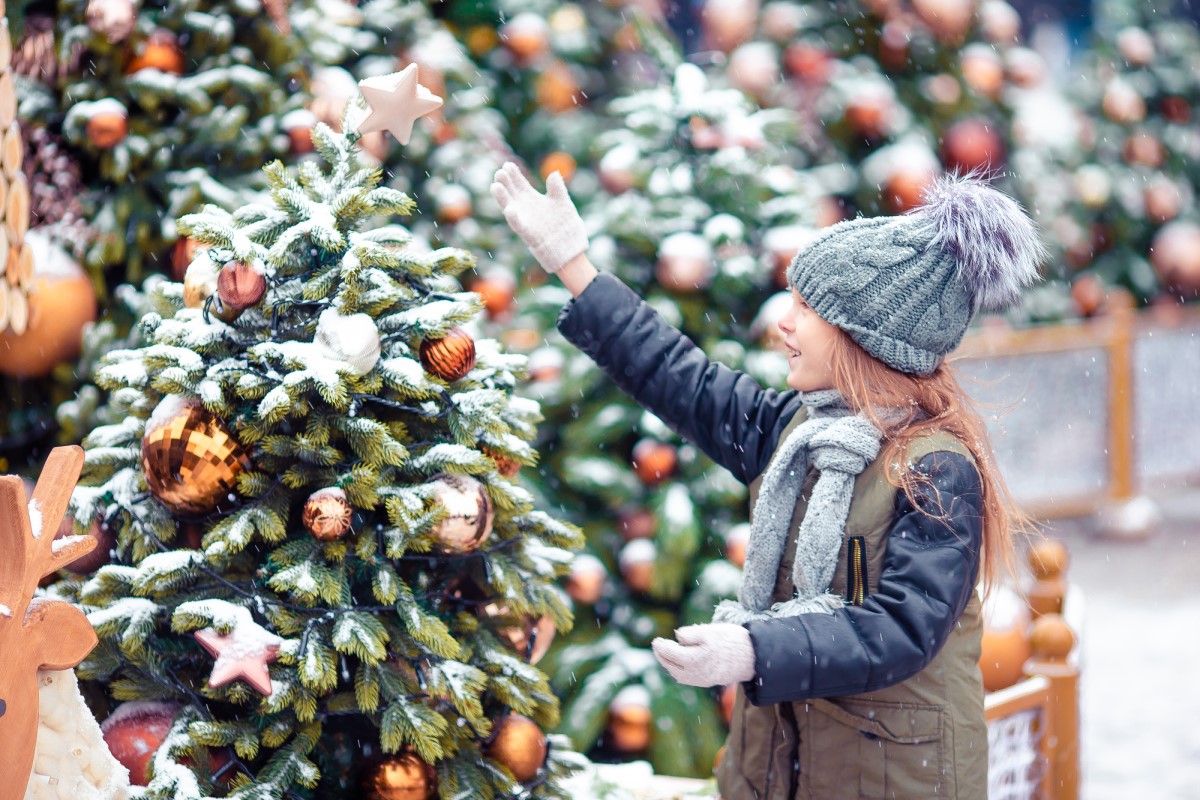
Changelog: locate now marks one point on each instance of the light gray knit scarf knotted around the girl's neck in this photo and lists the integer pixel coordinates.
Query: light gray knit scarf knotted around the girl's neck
(839, 446)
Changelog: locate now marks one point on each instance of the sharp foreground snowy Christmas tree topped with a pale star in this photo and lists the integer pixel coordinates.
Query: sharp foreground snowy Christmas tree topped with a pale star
(327, 580)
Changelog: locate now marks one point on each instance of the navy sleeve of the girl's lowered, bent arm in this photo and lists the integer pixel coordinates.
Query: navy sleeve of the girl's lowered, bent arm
(929, 573)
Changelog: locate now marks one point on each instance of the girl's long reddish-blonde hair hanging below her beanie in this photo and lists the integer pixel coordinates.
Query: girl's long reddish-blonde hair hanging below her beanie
(931, 404)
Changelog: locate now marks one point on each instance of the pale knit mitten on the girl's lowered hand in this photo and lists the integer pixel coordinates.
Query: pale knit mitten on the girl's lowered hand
(707, 655)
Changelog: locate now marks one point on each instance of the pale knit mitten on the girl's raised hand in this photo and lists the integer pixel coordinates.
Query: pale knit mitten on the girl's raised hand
(548, 224)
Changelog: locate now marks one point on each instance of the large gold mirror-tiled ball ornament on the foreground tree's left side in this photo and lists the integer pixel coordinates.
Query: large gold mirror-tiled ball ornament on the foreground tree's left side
(190, 459)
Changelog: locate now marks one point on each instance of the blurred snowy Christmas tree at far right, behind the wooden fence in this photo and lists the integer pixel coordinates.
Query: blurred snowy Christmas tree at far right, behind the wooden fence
(1125, 212)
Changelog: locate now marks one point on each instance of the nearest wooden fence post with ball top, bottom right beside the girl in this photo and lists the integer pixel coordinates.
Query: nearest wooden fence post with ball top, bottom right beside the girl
(1053, 642)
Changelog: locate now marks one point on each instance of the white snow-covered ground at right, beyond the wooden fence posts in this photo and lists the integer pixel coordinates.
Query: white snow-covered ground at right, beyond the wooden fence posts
(1142, 649)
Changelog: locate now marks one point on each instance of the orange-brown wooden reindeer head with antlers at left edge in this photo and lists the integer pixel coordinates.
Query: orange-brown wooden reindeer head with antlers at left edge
(35, 633)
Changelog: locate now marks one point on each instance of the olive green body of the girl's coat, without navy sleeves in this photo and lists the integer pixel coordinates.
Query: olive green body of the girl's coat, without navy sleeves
(922, 738)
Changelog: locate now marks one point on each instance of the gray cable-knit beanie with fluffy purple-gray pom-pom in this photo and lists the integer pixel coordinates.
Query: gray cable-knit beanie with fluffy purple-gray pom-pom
(905, 288)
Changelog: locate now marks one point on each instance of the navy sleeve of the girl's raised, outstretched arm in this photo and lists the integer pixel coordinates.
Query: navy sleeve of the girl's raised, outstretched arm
(724, 413)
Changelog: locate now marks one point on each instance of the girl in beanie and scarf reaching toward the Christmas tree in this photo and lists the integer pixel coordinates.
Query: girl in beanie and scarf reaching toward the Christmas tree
(875, 506)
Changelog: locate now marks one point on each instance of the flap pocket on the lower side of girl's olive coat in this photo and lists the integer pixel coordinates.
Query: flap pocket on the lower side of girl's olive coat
(895, 751)
